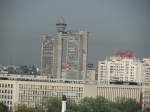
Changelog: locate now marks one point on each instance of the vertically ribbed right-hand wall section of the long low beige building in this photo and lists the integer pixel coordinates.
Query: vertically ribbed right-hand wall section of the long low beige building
(113, 92)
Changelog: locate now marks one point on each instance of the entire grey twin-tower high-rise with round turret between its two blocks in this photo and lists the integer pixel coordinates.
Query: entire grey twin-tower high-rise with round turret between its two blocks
(76, 56)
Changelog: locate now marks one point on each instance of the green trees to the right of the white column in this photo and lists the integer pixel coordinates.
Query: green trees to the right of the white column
(100, 104)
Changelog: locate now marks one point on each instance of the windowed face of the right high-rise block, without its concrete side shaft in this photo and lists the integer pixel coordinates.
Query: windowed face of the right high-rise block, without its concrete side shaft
(73, 57)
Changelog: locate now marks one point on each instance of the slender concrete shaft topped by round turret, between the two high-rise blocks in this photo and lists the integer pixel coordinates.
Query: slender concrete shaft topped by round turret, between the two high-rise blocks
(61, 34)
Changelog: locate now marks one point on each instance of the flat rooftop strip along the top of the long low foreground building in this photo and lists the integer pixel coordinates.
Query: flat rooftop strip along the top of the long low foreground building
(39, 78)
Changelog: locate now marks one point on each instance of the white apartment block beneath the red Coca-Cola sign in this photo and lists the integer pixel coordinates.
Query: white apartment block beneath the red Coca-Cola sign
(120, 69)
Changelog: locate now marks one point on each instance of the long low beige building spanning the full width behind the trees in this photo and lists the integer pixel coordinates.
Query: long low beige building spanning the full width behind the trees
(31, 91)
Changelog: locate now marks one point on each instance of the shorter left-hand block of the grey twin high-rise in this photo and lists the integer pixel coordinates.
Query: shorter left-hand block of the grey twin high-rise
(49, 57)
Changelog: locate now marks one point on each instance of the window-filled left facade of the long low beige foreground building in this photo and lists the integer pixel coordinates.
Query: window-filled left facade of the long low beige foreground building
(32, 93)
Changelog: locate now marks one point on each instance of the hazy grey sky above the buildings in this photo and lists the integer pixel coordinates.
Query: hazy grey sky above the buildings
(113, 25)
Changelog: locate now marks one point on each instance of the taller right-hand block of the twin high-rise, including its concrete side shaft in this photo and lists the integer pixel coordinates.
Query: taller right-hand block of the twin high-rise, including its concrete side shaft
(76, 57)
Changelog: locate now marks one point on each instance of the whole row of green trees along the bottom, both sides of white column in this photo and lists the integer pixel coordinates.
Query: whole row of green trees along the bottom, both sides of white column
(87, 104)
